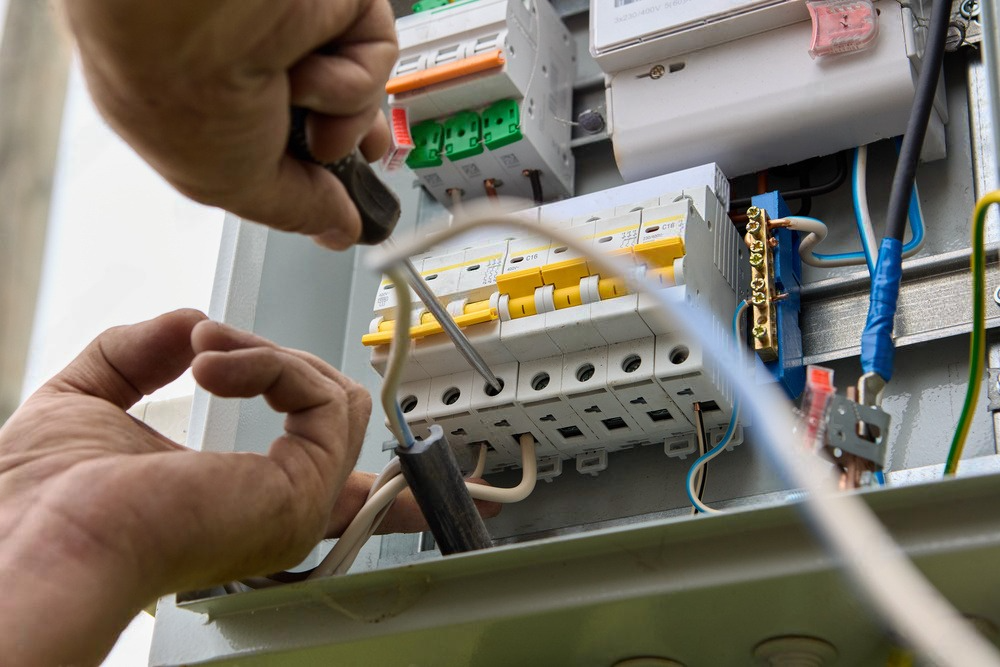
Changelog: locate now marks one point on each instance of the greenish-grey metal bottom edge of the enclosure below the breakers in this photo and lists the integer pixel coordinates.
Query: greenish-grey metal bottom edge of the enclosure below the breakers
(610, 594)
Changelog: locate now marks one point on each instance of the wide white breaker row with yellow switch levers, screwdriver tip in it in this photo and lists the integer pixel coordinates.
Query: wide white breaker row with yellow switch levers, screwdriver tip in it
(587, 367)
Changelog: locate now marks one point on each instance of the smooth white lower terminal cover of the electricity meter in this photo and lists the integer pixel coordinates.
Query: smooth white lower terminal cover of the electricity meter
(763, 101)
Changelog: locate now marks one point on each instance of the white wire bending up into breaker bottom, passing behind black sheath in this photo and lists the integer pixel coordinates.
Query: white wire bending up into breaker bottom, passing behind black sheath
(366, 521)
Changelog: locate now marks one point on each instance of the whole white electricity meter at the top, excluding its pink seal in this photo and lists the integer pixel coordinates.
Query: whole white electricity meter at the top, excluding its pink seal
(734, 82)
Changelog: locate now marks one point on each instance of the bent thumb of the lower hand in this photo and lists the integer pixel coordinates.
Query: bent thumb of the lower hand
(125, 363)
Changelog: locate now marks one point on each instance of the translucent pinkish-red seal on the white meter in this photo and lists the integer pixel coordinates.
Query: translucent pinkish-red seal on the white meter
(841, 26)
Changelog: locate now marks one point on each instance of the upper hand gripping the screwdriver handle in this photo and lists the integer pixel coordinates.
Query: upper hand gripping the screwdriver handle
(202, 92)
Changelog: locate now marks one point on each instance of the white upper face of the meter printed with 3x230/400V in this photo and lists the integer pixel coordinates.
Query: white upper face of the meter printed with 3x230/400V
(627, 33)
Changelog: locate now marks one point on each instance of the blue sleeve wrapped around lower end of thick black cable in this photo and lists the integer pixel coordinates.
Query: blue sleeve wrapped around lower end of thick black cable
(877, 349)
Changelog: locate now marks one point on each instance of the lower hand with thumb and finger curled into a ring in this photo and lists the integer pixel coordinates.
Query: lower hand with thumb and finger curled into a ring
(99, 514)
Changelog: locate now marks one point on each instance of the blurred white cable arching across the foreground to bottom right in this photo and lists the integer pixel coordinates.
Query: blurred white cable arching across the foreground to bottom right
(895, 588)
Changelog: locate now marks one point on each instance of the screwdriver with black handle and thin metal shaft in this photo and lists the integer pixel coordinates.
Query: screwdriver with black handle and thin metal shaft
(379, 209)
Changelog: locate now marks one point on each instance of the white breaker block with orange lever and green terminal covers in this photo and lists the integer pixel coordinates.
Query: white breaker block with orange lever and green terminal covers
(486, 86)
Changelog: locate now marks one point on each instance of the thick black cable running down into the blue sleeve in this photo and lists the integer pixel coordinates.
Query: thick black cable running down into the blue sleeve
(916, 126)
